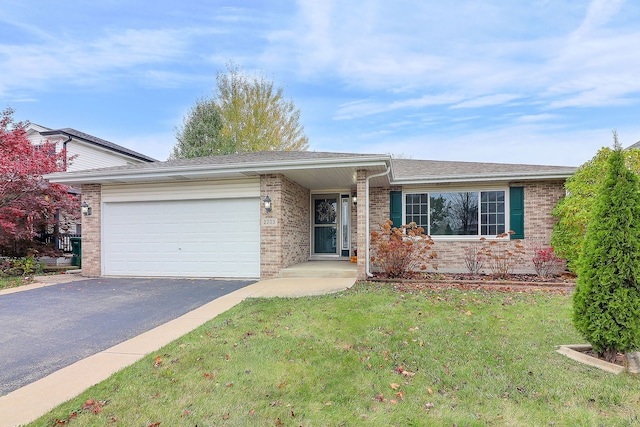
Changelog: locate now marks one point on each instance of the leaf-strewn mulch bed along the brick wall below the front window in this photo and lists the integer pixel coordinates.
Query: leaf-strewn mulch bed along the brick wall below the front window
(512, 283)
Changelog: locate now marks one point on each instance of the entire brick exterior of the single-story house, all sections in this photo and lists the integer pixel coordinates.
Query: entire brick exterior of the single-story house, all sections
(285, 232)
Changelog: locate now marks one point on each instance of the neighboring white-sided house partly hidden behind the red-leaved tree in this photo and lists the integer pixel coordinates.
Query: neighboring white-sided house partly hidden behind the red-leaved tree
(84, 152)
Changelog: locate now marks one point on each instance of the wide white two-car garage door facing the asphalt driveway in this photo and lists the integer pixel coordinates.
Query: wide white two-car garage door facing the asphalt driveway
(192, 238)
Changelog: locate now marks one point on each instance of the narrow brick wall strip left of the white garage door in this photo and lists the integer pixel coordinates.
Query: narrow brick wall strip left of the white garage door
(91, 240)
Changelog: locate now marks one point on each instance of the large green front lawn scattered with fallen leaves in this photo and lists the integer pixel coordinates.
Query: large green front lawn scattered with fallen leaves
(368, 356)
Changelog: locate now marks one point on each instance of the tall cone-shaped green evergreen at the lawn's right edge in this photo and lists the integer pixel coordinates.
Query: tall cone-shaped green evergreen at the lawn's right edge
(606, 303)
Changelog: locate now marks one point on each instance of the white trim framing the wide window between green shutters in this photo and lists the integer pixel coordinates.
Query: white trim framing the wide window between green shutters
(462, 238)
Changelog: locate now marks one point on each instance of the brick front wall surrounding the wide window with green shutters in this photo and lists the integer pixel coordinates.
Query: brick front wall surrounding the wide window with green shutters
(540, 199)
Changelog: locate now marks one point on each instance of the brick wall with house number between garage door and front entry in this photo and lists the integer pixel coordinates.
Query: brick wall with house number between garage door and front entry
(284, 232)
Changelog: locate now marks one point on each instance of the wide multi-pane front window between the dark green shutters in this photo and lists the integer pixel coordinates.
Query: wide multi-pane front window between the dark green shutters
(463, 213)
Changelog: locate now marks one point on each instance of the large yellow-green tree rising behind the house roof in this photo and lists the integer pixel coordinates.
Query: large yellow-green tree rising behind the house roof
(247, 113)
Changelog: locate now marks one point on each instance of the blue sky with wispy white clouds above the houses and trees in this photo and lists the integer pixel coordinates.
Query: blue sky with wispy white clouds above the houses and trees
(531, 81)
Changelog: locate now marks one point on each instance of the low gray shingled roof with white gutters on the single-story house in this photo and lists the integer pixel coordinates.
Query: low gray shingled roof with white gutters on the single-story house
(313, 168)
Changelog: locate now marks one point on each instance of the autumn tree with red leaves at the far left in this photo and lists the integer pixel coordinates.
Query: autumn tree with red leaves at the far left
(28, 202)
